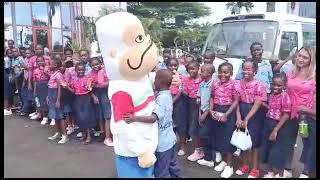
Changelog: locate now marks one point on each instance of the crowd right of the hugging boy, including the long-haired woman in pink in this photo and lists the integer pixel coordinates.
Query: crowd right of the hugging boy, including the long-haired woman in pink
(268, 101)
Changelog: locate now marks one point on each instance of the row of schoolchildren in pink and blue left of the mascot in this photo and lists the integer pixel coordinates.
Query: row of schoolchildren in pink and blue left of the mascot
(72, 93)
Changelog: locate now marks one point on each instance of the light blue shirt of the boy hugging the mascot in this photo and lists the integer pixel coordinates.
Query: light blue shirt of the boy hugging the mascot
(163, 109)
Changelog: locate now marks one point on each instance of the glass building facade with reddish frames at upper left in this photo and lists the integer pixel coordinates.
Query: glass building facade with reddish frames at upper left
(51, 24)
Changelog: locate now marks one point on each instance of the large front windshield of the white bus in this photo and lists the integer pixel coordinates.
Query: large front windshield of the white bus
(233, 39)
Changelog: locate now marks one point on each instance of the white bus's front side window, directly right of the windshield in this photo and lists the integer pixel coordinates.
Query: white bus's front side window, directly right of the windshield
(289, 40)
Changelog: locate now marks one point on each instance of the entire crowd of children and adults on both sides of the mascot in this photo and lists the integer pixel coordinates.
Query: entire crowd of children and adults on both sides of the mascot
(207, 106)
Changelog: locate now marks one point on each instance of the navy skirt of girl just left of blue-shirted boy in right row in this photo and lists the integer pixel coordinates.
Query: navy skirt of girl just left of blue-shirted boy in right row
(193, 117)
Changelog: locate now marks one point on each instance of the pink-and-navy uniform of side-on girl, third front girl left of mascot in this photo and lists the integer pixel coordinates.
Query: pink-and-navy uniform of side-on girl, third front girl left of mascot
(54, 112)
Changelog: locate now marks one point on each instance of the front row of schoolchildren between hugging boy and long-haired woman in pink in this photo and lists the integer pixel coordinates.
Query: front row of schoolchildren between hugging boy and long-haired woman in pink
(210, 108)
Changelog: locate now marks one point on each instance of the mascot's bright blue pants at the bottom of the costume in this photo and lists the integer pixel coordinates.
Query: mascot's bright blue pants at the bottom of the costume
(127, 167)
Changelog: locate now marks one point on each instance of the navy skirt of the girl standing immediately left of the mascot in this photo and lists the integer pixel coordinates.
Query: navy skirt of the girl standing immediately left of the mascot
(103, 109)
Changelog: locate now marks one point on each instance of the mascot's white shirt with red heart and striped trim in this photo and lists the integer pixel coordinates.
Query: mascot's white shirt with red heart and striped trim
(132, 139)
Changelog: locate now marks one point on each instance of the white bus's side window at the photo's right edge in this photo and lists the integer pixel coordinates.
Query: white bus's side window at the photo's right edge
(309, 34)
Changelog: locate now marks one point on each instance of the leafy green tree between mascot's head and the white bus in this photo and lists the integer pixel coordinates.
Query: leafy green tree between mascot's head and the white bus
(167, 21)
